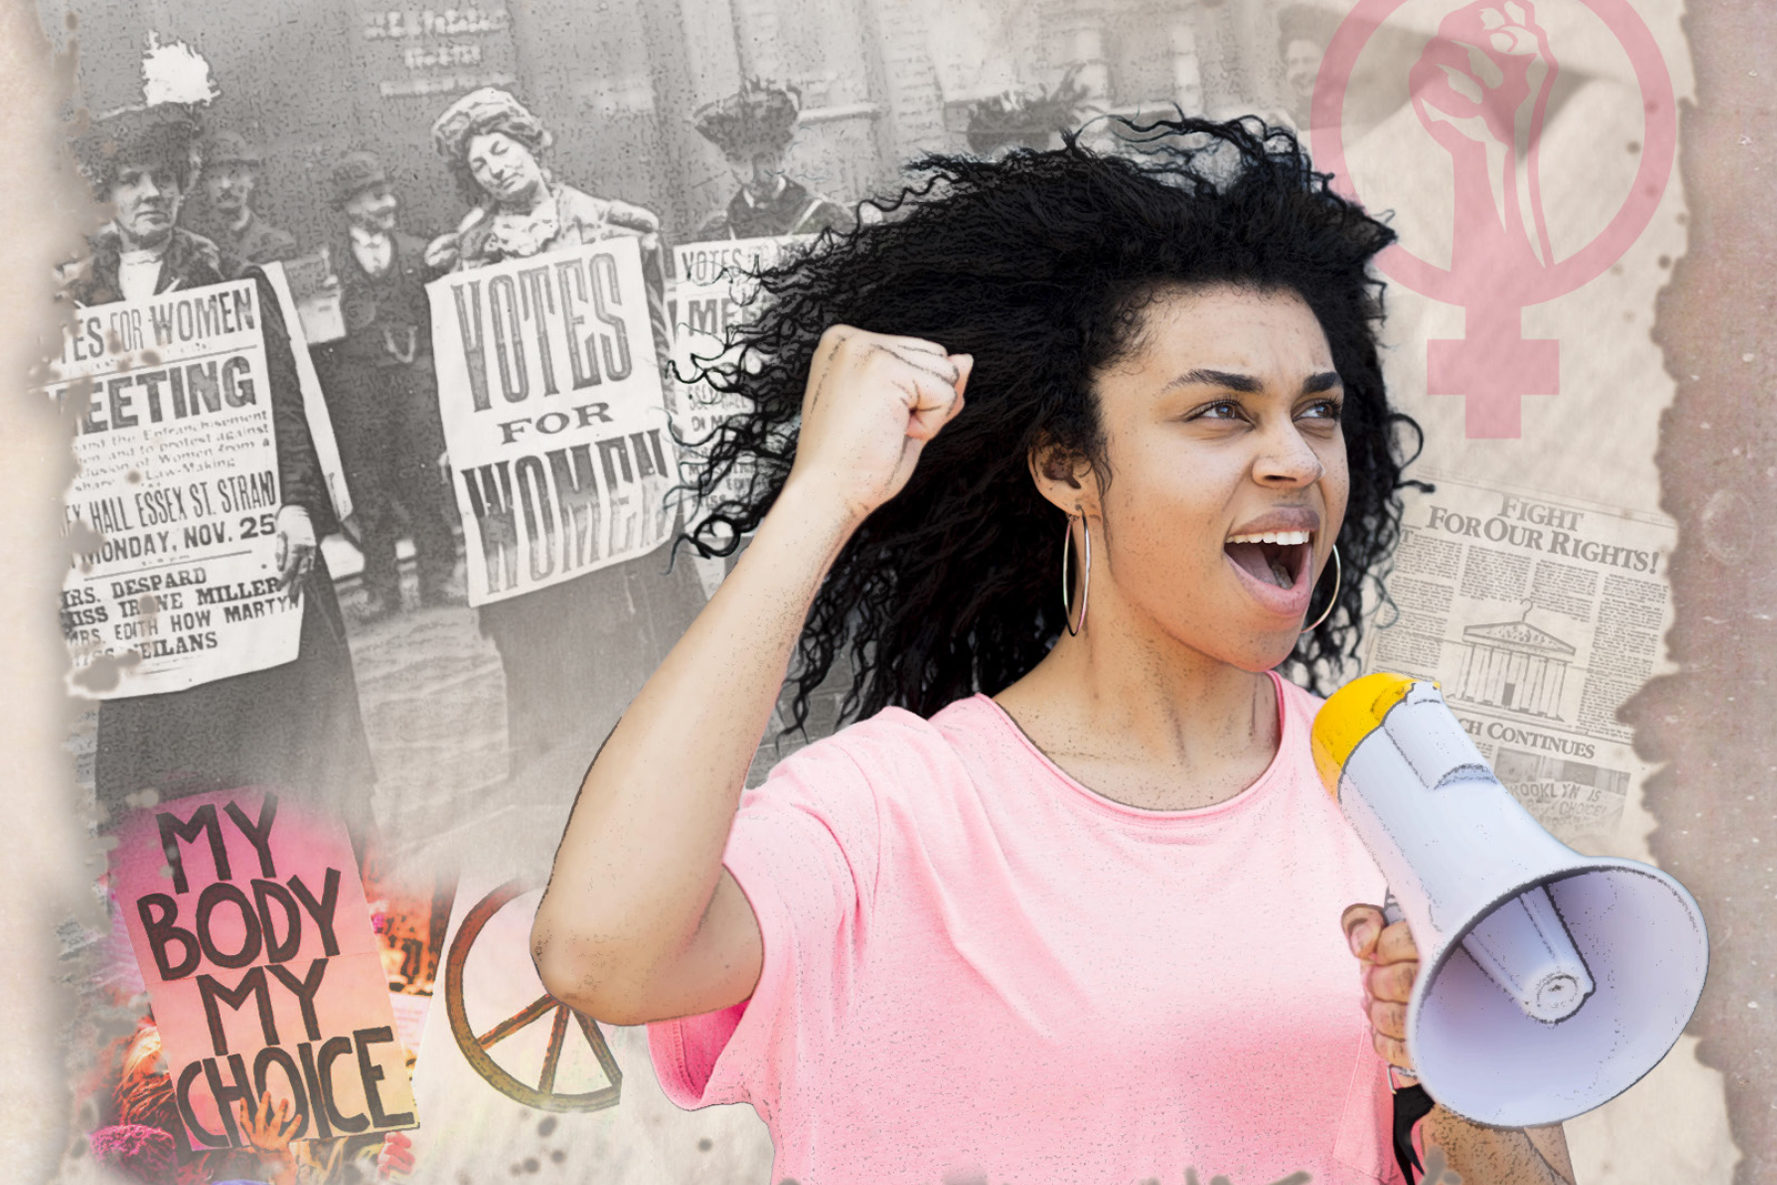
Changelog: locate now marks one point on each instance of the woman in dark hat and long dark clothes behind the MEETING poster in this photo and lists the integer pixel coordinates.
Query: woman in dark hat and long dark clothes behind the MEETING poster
(294, 728)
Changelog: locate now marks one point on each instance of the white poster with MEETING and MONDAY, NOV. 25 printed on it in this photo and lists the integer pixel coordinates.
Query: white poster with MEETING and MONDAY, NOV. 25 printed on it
(173, 513)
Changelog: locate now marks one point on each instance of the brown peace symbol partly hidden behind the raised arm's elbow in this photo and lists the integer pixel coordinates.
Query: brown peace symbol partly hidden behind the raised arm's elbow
(475, 1047)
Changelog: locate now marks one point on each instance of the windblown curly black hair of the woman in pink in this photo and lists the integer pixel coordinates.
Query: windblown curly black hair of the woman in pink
(1040, 267)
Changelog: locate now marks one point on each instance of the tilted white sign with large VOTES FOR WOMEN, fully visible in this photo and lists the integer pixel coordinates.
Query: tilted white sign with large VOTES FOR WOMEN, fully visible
(557, 433)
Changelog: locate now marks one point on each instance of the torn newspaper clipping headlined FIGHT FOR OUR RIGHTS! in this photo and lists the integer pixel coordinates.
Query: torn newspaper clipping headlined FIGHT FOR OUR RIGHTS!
(1540, 619)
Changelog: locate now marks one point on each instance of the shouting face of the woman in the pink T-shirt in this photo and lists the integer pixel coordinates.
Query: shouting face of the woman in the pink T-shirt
(1222, 431)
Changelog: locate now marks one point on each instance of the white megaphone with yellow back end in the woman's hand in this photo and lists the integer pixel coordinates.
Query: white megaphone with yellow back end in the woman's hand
(1549, 982)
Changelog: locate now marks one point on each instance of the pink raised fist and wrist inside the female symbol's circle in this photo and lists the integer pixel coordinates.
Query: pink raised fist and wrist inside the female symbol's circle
(1481, 88)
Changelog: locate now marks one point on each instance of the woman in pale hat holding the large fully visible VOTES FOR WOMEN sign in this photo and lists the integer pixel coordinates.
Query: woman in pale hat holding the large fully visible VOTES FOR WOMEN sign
(573, 653)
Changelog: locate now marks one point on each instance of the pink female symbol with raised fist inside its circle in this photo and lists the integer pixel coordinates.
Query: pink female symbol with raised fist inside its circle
(1481, 90)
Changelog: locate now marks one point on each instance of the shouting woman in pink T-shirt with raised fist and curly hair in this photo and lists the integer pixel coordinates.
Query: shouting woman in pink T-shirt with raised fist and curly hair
(1069, 903)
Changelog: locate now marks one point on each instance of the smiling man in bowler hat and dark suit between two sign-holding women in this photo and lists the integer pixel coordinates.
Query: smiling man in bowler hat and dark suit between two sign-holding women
(383, 392)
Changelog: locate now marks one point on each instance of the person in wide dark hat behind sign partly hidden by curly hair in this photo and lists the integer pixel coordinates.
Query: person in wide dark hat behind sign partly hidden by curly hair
(754, 131)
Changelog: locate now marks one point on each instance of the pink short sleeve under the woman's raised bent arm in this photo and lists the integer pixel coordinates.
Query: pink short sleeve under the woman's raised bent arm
(804, 848)
